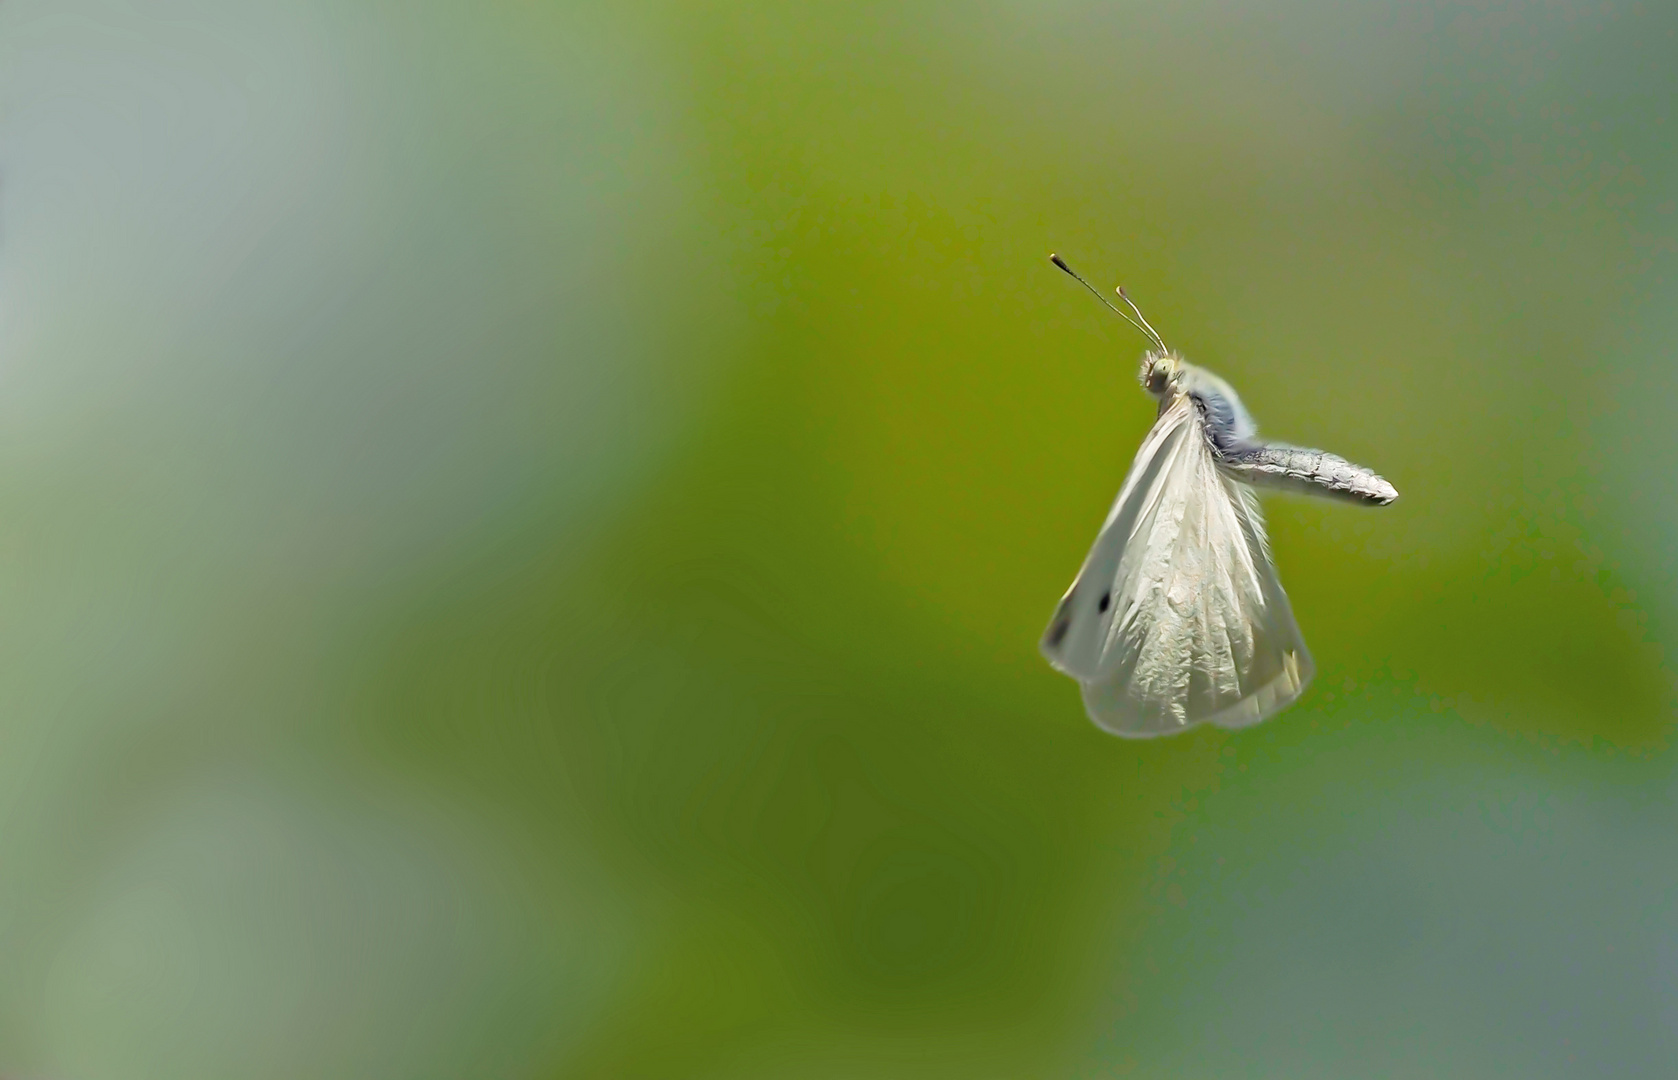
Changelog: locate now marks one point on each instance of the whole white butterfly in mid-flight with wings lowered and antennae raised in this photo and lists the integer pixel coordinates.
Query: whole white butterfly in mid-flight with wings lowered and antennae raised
(1177, 616)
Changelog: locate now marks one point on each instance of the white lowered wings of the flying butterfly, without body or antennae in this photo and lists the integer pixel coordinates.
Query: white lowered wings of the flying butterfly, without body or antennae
(1177, 616)
